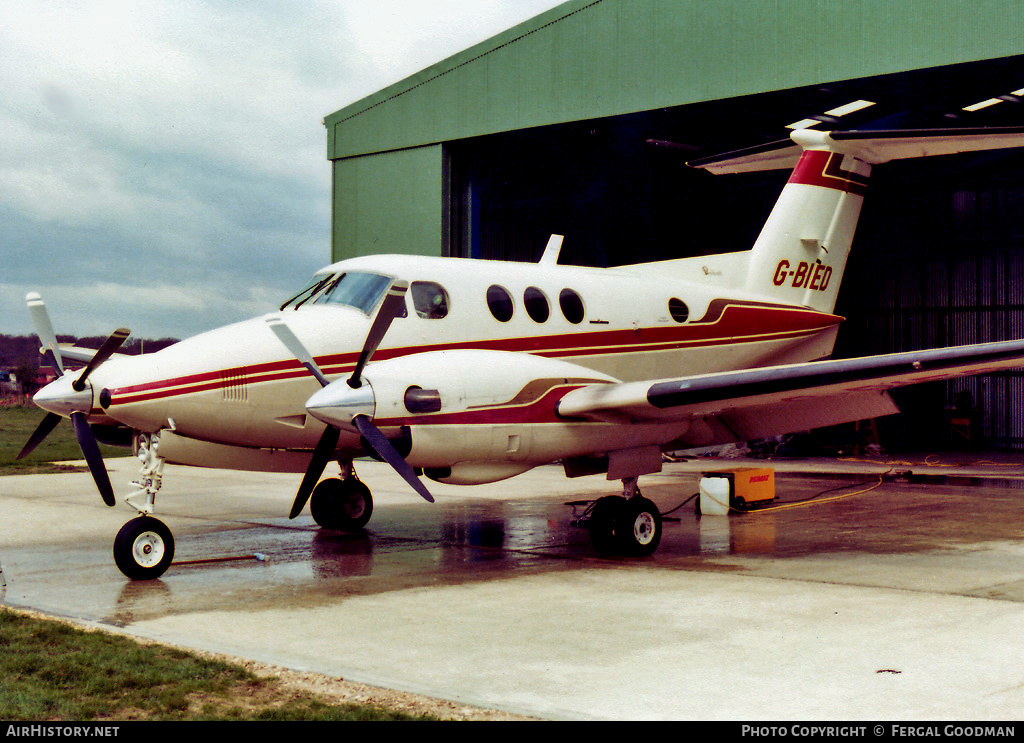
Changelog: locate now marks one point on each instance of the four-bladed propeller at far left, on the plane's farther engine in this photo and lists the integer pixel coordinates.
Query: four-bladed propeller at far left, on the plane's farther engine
(70, 402)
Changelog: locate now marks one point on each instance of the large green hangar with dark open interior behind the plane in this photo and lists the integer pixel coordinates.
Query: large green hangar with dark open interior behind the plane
(581, 122)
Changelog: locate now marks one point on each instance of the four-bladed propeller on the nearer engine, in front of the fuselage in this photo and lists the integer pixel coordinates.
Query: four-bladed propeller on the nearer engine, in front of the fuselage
(390, 310)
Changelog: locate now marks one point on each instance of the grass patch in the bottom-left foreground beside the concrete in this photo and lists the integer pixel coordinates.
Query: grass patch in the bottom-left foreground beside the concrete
(51, 671)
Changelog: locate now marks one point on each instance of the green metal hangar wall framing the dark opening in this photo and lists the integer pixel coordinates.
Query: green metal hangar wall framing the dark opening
(594, 60)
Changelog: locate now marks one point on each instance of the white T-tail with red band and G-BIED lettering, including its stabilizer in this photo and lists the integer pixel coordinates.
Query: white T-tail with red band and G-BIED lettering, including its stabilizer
(801, 254)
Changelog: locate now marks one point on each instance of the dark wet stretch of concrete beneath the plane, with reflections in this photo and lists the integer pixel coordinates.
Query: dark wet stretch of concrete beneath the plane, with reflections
(815, 520)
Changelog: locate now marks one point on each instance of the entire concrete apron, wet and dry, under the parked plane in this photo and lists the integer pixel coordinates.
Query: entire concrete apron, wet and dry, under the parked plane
(497, 595)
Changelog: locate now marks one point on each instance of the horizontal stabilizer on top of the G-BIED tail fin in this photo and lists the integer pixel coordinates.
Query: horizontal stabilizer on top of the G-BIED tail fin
(869, 147)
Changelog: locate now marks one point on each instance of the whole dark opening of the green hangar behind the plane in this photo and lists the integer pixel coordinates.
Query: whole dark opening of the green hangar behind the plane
(940, 254)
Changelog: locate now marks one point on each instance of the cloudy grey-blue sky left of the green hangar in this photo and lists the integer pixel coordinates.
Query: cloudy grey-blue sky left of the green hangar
(163, 163)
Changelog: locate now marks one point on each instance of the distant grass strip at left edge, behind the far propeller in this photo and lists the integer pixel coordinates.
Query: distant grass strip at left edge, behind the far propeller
(17, 425)
